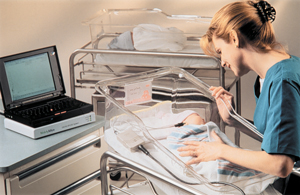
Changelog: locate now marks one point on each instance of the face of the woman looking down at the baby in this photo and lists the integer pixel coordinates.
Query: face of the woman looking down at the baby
(231, 56)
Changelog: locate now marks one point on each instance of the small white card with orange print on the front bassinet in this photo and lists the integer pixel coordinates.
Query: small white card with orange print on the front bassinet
(138, 93)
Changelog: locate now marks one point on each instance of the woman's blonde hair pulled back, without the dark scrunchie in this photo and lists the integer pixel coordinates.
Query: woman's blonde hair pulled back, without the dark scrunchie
(244, 18)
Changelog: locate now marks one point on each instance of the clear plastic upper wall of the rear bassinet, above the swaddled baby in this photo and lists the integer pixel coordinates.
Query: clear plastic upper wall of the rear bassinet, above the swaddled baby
(111, 21)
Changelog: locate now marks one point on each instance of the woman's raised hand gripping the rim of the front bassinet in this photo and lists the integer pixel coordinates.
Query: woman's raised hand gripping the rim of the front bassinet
(221, 94)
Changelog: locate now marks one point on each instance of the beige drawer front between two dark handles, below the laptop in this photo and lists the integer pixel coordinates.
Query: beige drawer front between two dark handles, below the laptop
(59, 175)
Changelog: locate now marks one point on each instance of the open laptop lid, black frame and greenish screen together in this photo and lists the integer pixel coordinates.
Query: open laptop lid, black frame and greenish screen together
(30, 75)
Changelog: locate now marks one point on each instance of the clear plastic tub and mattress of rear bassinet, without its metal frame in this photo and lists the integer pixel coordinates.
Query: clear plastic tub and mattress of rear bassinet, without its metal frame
(108, 24)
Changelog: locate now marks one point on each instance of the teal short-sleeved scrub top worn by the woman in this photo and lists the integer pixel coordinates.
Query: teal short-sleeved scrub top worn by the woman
(277, 112)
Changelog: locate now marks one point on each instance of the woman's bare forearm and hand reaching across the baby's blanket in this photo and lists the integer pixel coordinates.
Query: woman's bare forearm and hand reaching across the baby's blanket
(274, 164)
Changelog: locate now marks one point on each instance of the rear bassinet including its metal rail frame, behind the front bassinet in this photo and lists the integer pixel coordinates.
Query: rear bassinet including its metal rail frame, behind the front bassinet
(99, 62)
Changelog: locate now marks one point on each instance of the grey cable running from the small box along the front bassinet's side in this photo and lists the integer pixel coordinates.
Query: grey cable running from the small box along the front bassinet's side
(145, 151)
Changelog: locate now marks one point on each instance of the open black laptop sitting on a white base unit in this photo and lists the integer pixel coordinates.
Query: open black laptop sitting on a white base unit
(33, 91)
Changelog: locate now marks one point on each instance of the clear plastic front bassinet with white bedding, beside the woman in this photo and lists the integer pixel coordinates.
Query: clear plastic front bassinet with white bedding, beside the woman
(131, 99)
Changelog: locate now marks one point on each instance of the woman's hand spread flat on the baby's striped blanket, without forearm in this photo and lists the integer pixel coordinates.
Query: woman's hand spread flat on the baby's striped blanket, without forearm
(202, 151)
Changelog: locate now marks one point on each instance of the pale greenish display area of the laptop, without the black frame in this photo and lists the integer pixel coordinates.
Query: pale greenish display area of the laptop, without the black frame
(29, 76)
